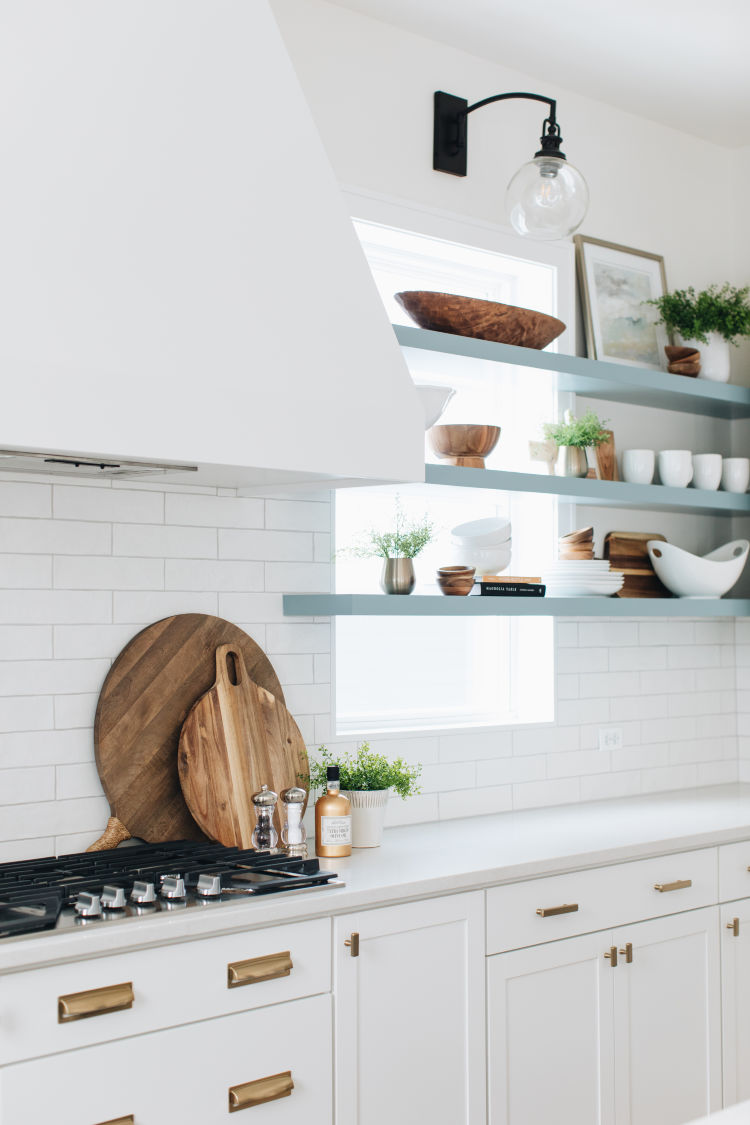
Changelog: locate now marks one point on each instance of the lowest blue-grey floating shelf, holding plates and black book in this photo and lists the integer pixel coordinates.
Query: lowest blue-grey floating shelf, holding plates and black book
(437, 606)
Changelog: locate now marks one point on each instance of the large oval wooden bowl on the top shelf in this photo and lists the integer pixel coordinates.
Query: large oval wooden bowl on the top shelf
(484, 320)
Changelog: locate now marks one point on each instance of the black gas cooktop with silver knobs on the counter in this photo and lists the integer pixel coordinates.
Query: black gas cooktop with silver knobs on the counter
(139, 881)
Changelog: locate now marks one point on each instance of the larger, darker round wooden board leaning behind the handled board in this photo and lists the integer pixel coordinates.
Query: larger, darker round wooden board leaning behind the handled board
(146, 699)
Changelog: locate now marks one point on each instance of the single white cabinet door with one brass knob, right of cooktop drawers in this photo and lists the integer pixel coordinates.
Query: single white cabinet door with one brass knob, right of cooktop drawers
(410, 1014)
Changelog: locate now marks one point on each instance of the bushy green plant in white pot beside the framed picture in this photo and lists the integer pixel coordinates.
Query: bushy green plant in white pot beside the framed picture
(709, 321)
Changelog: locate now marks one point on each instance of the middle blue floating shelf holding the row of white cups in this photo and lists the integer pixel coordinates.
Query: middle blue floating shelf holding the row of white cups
(607, 493)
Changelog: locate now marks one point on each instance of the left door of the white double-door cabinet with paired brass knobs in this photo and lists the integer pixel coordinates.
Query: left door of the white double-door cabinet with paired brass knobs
(552, 1034)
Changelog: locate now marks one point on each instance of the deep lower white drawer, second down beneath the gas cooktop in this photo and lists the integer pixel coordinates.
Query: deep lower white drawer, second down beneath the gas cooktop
(184, 1076)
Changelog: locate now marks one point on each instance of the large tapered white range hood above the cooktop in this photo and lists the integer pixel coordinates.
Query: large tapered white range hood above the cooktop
(179, 278)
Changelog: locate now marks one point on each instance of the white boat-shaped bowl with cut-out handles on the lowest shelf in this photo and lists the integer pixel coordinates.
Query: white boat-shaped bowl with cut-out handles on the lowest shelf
(699, 577)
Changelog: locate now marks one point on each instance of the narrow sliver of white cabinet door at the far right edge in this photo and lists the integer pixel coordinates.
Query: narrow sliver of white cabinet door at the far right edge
(736, 1000)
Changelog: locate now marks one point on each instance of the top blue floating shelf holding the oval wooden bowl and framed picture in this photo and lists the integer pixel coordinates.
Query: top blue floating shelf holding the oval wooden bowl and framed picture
(594, 379)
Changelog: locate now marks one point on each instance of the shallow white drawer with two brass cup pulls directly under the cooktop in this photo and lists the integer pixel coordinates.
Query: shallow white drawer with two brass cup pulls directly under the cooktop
(66, 1007)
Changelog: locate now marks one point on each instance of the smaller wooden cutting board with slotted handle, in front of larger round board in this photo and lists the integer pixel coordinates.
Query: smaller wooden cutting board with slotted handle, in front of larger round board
(236, 740)
